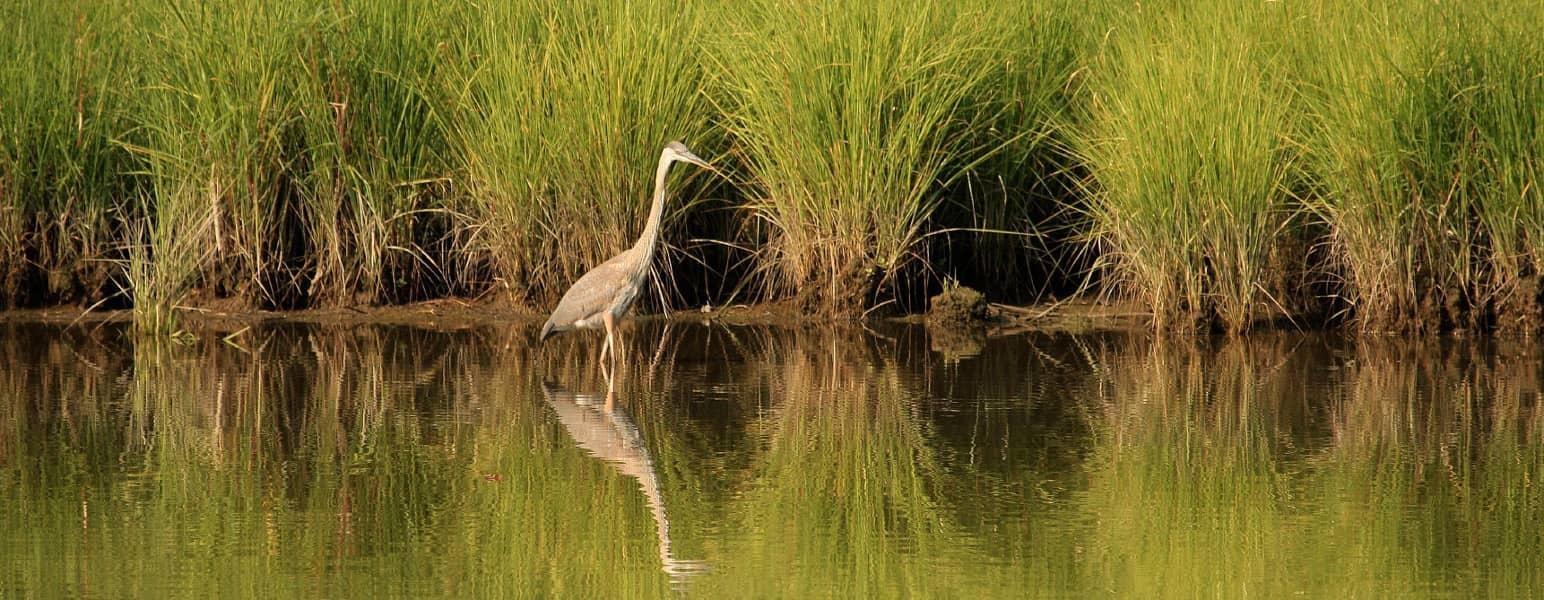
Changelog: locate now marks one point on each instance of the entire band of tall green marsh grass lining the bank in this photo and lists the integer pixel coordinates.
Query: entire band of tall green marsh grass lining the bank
(1217, 163)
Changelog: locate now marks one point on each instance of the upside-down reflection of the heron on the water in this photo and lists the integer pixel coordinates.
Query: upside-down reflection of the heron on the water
(608, 433)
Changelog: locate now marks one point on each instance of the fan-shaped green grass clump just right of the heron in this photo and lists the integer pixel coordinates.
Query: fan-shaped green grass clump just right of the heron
(853, 120)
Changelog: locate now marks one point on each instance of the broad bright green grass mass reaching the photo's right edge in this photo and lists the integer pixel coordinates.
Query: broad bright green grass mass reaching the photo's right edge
(1224, 140)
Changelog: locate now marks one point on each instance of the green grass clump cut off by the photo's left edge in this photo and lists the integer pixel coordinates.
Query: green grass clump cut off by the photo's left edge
(61, 186)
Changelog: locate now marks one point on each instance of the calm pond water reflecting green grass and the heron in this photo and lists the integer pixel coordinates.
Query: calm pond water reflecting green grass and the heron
(760, 462)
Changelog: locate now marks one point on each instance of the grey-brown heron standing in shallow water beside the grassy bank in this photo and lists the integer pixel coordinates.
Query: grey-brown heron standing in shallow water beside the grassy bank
(606, 292)
